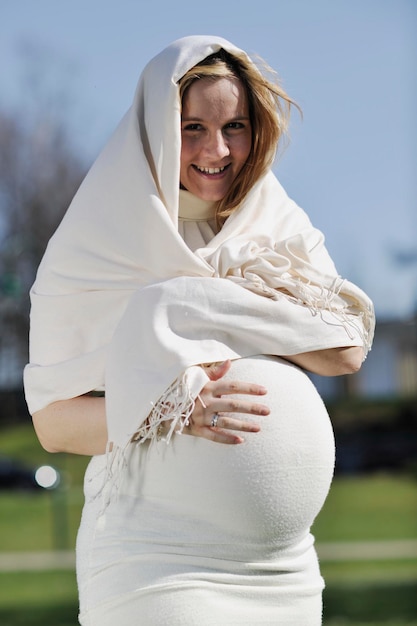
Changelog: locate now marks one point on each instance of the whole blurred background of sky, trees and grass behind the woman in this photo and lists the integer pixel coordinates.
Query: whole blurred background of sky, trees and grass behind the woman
(68, 71)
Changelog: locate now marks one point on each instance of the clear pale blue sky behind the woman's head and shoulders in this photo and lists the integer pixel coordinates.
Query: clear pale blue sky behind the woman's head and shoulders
(350, 64)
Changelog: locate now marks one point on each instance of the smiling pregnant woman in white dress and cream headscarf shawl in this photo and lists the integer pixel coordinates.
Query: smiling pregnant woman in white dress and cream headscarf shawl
(174, 316)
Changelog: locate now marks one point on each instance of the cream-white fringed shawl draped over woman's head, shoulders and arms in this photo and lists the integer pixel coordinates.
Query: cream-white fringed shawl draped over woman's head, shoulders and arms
(120, 302)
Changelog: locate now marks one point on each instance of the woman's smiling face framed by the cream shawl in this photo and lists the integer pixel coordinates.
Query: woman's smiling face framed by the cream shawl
(216, 136)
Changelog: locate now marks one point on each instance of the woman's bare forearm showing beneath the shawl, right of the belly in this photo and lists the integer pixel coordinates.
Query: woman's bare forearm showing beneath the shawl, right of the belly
(330, 362)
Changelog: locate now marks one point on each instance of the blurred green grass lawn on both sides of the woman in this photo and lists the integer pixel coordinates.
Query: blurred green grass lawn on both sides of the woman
(358, 593)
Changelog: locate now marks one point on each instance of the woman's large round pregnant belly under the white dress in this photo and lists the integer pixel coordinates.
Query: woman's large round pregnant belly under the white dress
(267, 490)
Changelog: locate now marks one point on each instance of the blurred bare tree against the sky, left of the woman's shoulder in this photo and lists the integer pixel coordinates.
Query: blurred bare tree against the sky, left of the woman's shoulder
(39, 174)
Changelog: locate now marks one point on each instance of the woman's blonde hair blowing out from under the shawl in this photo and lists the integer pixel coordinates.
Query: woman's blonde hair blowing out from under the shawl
(269, 111)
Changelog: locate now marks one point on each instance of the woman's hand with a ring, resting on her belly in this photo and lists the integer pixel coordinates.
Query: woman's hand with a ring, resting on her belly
(216, 415)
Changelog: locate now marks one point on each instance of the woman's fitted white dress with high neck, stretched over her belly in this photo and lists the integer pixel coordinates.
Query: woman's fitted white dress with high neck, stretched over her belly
(204, 534)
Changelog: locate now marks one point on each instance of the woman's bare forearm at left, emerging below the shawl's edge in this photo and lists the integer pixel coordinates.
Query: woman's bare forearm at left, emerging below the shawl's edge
(77, 426)
